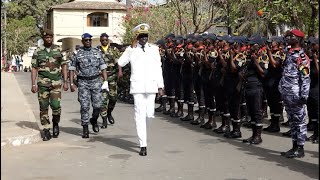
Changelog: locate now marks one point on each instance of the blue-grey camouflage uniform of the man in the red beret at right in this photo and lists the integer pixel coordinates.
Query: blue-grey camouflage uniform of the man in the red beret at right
(294, 87)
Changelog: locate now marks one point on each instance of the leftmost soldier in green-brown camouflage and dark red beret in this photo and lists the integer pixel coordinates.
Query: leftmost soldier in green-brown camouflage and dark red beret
(46, 62)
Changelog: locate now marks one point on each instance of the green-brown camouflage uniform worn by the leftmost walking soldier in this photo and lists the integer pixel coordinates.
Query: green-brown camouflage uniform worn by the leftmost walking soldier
(49, 82)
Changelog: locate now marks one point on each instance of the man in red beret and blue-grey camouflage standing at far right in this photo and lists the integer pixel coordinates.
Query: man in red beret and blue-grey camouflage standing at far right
(294, 87)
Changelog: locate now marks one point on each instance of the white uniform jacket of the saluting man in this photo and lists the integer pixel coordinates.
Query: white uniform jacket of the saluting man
(146, 72)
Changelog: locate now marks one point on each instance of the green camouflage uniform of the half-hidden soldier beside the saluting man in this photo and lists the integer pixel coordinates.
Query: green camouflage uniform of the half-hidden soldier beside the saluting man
(110, 97)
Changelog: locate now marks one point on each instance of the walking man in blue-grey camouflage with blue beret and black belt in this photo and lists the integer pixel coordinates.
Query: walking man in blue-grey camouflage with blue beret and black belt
(88, 62)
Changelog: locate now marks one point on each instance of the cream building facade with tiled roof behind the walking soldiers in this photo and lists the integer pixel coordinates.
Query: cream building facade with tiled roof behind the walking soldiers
(70, 20)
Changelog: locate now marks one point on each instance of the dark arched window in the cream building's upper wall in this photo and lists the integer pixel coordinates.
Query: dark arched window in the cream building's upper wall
(98, 20)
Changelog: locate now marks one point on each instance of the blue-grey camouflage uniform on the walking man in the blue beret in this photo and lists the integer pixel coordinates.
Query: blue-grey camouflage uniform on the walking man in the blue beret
(88, 63)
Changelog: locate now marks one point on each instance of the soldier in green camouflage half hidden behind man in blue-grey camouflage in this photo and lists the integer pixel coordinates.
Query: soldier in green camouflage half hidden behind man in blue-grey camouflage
(113, 72)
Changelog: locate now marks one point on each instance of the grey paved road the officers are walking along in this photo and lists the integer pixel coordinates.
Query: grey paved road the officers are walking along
(176, 150)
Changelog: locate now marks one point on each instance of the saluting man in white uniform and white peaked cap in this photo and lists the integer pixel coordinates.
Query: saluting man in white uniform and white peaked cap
(146, 80)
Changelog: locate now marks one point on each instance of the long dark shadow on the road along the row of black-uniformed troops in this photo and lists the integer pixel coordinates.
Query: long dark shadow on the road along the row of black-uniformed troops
(308, 169)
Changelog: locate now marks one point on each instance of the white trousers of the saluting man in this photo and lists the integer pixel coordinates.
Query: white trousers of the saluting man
(143, 113)
